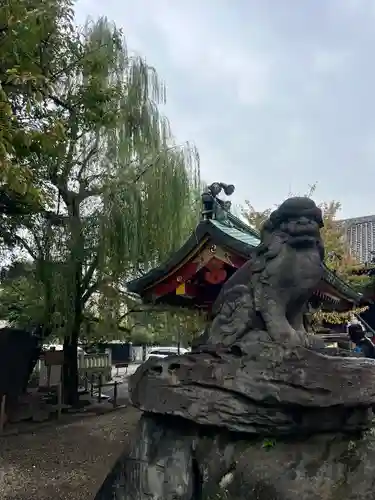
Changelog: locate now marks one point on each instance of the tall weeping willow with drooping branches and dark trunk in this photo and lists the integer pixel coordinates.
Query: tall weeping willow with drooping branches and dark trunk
(120, 191)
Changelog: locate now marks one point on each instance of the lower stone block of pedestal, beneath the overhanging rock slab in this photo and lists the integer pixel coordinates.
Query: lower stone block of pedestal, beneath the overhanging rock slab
(172, 460)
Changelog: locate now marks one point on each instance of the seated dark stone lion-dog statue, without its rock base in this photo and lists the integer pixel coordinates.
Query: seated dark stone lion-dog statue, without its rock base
(270, 292)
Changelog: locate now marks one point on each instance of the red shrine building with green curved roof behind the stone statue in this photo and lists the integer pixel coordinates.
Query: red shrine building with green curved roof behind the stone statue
(221, 243)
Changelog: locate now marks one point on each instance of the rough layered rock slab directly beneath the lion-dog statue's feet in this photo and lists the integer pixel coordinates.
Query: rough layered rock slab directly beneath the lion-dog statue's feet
(260, 388)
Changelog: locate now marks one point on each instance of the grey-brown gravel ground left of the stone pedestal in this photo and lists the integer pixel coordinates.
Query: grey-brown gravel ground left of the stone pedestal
(64, 462)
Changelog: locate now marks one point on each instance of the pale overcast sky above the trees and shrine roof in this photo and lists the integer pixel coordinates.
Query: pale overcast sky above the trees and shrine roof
(275, 94)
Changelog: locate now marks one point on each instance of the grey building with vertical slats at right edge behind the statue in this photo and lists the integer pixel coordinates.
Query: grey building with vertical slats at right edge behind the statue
(360, 235)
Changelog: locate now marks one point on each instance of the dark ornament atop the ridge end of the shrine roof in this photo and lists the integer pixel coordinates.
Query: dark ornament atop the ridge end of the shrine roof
(212, 206)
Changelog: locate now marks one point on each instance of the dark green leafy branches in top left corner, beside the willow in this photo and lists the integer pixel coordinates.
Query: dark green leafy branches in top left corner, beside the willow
(34, 37)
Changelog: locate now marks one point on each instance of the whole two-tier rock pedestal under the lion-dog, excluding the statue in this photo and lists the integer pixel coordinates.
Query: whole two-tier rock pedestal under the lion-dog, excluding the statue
(255, 421)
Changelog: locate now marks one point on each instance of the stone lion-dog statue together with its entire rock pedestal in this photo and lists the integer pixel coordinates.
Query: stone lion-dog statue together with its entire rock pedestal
(241, 382)
